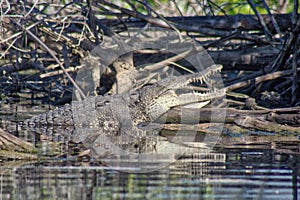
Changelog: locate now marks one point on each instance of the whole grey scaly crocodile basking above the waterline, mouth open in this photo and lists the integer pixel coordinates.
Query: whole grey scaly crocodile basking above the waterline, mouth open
(142, 105)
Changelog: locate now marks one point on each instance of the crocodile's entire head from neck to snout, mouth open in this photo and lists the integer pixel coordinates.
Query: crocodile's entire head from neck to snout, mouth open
(155, 100)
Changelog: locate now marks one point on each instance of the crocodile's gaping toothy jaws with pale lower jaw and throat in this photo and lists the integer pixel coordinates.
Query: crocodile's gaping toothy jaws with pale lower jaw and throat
(195, 90)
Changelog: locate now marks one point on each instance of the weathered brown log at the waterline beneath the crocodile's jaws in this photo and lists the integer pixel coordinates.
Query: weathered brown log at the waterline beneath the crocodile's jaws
(272, 120)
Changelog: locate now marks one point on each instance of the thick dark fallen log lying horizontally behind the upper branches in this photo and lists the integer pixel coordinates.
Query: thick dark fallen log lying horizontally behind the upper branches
(202, 23)
